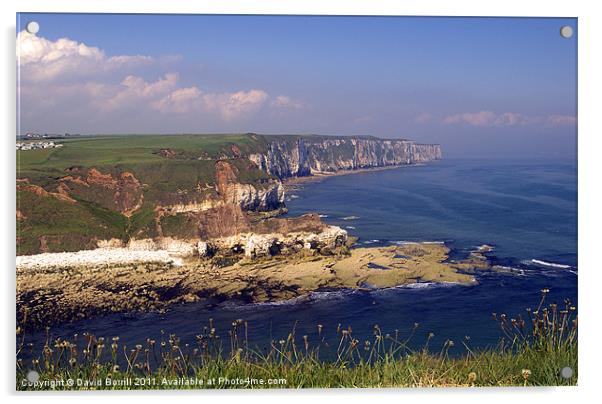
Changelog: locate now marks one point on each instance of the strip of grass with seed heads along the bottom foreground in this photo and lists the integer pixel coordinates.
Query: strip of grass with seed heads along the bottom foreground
(532, 353)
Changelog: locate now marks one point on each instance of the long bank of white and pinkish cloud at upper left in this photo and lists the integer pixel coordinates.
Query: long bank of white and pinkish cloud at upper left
(61, 77)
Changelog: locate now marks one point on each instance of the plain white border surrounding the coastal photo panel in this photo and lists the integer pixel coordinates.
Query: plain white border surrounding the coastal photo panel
(590, 202)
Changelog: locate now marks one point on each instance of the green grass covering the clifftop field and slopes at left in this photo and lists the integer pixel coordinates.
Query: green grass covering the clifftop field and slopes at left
(69, 227)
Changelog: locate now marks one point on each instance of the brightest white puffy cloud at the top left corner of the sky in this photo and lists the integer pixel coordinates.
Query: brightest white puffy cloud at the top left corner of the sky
(41, 59)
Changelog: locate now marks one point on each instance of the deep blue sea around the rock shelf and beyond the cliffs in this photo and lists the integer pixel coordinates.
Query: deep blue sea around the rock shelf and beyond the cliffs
(526, 209)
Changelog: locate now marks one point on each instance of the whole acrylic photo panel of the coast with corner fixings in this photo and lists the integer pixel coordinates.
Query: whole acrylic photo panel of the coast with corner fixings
(222, 201)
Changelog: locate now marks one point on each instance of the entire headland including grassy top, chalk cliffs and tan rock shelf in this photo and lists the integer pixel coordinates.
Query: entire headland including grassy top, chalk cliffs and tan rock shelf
(135, 223)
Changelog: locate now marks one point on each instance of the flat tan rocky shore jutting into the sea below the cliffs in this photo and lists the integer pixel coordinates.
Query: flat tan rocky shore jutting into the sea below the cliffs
(57, 293)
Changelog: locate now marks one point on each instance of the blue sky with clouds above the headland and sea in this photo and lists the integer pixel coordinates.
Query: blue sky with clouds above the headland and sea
(481, 87)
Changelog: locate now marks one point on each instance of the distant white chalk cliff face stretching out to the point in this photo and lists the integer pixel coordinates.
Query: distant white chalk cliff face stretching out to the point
(308, 156)
